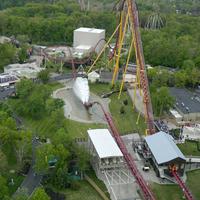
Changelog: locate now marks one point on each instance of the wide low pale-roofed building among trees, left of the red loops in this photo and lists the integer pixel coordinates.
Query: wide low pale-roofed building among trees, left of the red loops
(26, 70)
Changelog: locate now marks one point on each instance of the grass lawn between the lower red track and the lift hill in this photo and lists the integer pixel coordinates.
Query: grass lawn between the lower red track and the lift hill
(126, 123)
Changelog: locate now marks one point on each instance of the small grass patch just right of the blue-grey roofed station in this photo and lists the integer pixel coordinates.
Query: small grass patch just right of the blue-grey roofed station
(189, 148)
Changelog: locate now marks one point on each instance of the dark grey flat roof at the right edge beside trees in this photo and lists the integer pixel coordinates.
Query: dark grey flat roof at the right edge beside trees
(186, 101)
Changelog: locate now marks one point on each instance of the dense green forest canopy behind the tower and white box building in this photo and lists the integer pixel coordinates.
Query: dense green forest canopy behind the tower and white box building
(53, 23)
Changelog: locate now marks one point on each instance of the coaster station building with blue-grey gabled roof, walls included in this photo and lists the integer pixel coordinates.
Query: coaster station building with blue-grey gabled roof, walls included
(163, 154)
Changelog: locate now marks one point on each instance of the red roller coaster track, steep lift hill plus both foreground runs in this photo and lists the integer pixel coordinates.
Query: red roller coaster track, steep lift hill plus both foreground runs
(148, 195)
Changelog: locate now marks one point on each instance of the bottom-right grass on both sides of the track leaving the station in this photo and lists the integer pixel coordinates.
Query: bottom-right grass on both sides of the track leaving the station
(173, 192)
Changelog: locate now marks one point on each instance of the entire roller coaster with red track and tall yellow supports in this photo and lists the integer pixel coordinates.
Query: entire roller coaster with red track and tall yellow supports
(129, 20)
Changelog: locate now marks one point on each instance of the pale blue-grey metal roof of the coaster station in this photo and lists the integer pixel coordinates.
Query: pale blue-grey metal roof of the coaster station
(163, 147)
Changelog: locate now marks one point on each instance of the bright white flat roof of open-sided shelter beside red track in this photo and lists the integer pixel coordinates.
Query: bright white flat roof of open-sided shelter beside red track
(104, 143)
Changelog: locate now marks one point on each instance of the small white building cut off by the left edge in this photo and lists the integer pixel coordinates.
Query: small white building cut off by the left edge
(7, 79)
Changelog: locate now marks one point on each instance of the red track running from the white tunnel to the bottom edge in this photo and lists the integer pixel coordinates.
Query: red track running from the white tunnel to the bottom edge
(148, 195)
